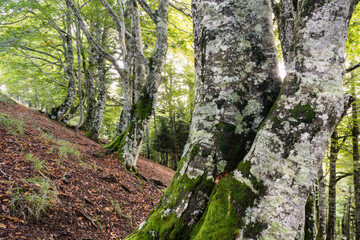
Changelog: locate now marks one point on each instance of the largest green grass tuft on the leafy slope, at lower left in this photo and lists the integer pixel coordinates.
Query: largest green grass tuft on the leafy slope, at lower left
(33, 199)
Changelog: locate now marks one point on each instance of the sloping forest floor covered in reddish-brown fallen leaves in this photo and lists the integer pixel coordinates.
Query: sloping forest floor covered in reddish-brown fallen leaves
(57, 184)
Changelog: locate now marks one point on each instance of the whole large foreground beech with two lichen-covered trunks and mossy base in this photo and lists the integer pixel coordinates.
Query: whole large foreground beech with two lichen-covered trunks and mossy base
(250, 161)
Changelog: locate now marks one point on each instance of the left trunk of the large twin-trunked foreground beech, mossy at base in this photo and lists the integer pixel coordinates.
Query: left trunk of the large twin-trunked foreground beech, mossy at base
(217, 141)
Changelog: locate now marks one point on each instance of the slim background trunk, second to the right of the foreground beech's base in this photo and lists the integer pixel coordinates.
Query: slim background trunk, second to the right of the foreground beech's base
(321, 223)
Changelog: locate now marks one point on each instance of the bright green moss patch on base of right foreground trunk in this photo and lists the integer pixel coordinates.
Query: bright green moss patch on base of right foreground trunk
(226, 210)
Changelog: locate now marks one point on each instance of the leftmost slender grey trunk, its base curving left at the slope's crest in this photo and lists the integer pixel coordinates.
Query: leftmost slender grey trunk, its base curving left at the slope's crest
(58, 112)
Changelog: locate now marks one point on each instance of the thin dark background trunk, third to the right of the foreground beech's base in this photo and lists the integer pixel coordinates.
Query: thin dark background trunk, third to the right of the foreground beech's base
(331, 222)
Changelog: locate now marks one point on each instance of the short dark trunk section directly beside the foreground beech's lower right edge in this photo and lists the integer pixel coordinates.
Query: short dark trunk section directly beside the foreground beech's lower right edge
(309, 226)
